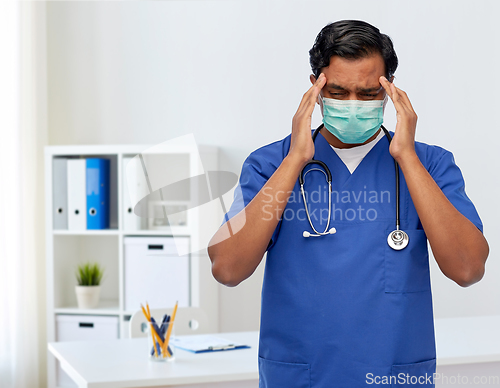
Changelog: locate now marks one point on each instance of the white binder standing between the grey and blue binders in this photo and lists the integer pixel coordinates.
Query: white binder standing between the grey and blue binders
(77, 200)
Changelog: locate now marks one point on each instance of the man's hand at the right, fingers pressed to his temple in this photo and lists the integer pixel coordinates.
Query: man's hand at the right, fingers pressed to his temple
(403, 143)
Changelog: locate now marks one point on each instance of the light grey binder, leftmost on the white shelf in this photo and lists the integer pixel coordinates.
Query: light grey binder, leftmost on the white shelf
(60, 193)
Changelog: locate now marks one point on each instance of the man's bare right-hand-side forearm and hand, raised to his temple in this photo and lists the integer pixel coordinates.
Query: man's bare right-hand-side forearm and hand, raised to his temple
(460, 249)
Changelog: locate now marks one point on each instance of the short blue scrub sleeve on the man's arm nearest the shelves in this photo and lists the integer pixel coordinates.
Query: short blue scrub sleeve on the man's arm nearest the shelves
(255, 172)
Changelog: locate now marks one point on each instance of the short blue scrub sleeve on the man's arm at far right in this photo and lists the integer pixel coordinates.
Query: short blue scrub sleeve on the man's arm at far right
(449, 178)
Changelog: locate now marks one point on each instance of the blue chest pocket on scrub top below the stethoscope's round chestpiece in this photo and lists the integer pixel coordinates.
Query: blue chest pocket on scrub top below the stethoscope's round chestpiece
(407, 270)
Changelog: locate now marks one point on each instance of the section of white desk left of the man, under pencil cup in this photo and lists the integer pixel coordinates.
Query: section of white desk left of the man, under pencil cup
(124, 363)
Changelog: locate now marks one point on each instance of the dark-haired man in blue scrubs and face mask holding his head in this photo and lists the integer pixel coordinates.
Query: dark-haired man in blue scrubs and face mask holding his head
(345, 309)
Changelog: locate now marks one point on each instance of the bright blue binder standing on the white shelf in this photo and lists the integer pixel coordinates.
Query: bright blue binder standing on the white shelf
(97, 183)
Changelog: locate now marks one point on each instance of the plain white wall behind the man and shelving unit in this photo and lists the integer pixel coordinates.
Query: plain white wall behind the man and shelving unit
(233, 73)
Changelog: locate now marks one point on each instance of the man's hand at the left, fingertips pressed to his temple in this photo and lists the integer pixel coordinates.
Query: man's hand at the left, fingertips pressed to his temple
(301, 145)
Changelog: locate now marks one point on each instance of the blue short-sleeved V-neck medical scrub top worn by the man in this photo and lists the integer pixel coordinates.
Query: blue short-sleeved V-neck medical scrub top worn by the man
(346, 310)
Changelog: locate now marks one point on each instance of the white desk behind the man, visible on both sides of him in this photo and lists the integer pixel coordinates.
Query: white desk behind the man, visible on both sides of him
(465, 346)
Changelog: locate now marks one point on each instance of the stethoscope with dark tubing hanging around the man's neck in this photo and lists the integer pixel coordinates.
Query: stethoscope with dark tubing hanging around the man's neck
(397, 239)
